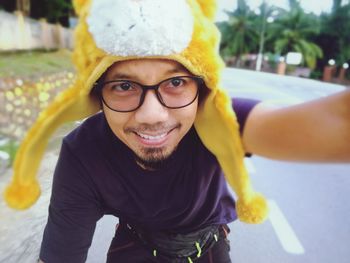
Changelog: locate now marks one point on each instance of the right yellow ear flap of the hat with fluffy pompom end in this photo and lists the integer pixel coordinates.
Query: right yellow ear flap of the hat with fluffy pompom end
(215, 123)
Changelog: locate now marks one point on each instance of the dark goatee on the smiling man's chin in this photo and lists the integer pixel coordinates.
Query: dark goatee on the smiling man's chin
(153, 158)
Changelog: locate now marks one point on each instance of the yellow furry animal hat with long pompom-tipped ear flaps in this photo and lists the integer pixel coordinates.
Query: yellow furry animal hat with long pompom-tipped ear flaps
(115, 30)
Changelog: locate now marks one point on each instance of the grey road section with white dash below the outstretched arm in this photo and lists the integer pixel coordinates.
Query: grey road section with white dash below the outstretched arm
(309, 218)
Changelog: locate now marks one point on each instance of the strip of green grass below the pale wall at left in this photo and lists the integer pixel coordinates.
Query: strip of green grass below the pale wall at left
(33, 63)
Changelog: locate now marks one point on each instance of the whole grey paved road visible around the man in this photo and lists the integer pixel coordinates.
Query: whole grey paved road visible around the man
(309, 202)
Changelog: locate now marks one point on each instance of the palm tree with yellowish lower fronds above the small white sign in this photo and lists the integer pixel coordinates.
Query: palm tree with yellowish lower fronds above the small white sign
(293, 32)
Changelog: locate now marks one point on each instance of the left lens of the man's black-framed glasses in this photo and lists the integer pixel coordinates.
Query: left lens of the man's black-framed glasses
(122, 95)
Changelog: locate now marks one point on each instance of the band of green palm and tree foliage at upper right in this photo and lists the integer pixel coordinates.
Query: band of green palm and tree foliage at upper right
(318, 37)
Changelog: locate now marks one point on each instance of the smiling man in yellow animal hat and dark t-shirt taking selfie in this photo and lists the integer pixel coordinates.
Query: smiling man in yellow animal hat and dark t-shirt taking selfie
(159, 154)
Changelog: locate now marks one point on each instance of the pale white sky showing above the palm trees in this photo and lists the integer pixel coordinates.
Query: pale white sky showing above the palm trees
(315, 6)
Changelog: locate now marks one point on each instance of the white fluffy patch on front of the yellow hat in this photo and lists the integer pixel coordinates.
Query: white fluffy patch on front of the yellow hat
(141, 28)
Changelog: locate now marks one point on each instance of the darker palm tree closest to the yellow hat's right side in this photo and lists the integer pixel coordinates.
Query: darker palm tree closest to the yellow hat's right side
(239, 34)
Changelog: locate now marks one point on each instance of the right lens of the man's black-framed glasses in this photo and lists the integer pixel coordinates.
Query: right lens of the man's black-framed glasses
(179, 91)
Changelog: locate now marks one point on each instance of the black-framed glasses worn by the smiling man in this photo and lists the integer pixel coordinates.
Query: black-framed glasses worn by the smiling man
(126, 96)
